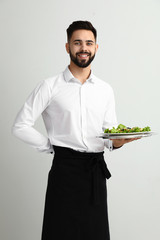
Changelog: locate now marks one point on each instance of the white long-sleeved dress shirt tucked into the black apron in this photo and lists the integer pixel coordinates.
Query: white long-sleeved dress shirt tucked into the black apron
(74, 114)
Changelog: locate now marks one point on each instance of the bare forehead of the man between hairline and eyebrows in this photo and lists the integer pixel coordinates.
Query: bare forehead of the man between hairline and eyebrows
(83, 35)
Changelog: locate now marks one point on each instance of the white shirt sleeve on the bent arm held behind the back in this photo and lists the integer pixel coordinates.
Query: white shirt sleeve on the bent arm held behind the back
(23, 127)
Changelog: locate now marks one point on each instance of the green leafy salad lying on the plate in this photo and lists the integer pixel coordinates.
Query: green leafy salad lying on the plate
(123, 129)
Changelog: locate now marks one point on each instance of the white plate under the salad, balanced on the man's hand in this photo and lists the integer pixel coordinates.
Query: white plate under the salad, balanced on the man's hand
(126, 135)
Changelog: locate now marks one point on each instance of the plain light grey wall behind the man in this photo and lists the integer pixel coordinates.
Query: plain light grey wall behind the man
(32, 48)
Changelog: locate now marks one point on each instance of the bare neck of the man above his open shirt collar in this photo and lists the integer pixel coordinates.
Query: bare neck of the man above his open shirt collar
(81, 74)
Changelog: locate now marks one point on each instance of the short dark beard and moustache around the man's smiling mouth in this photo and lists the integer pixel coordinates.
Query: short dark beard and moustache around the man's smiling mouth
(82, 63)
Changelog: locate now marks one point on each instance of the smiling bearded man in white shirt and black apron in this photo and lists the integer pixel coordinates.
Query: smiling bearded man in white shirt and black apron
(76, 107)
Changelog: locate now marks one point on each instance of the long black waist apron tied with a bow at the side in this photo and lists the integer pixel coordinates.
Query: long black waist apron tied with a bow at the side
(76, 197)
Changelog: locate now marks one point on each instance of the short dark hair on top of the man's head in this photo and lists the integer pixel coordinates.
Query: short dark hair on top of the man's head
(77, 25)
